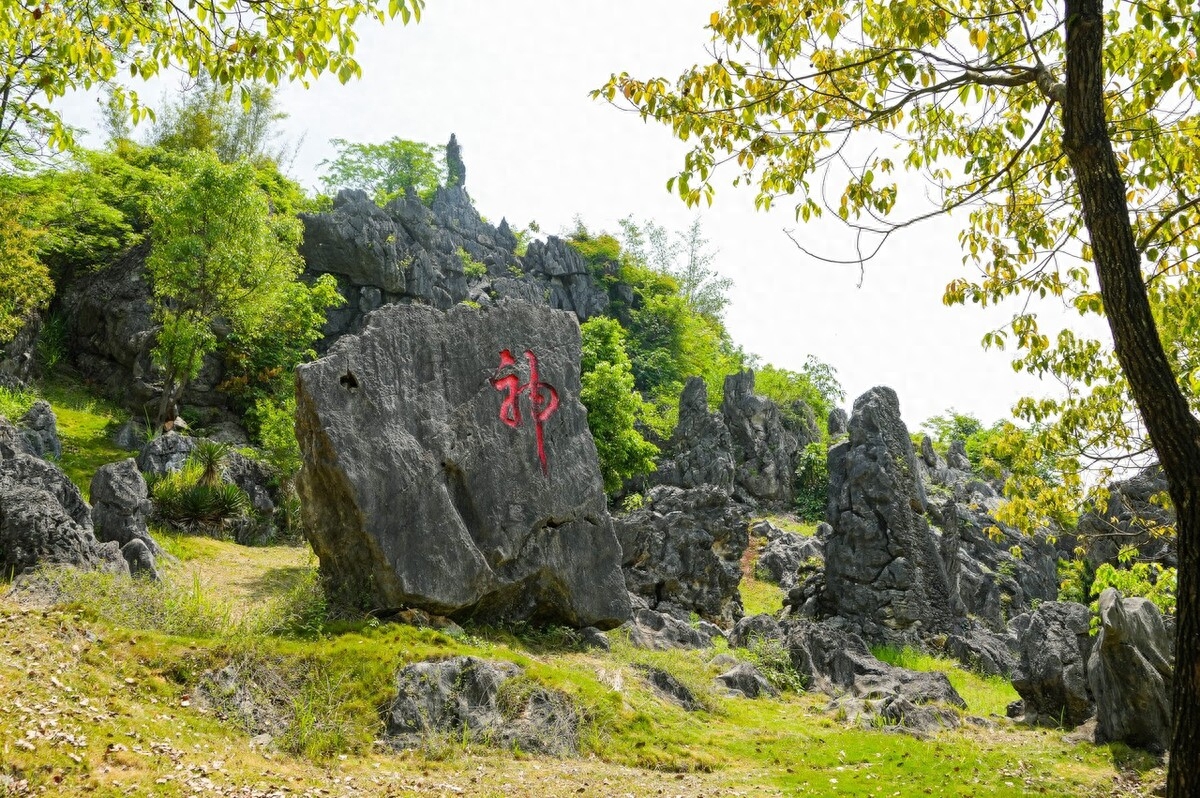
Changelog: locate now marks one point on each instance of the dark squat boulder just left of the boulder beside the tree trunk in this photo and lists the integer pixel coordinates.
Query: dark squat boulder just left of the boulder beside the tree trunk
(1052, 665)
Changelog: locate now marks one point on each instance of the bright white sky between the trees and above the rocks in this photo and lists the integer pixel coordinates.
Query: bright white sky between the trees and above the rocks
(512, 80)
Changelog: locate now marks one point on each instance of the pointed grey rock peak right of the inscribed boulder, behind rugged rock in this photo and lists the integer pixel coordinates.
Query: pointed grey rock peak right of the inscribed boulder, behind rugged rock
(703, 452)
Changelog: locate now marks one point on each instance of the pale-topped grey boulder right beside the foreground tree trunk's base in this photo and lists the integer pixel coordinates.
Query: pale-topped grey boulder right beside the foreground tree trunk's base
(1130, 673)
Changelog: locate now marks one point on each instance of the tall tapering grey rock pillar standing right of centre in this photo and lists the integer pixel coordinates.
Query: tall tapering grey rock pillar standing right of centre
(885, 571)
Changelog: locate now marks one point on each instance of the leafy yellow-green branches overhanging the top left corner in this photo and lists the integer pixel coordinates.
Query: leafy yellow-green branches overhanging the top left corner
(49, 50)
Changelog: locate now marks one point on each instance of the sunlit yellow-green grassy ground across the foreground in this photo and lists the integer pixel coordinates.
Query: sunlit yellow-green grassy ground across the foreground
(99, 698)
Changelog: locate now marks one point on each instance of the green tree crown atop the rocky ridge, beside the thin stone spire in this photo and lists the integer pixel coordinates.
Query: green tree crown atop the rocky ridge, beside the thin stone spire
(387, 171)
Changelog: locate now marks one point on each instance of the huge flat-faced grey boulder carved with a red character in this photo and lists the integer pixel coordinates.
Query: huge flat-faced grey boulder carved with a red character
(448, 466)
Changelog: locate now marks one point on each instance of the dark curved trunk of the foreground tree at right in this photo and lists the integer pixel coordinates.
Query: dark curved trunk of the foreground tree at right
(1174, 431)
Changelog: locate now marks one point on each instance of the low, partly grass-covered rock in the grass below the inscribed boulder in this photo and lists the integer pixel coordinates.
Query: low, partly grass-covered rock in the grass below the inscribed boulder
(471, 698)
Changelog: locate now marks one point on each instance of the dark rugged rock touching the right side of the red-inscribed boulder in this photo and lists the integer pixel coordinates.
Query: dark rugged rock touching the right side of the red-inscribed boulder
(682, 553)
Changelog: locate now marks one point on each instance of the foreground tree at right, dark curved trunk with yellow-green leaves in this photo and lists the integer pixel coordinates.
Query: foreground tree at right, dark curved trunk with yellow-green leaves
(1066, 135)
